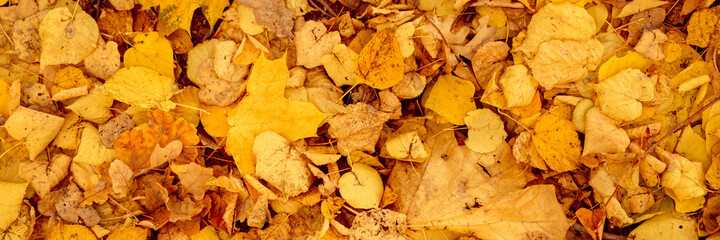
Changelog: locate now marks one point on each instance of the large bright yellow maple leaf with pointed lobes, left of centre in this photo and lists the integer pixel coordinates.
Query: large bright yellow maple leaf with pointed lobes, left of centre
(265, 109)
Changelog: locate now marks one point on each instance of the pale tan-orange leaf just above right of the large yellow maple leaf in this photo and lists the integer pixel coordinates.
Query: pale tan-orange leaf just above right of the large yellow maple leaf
(312, 42)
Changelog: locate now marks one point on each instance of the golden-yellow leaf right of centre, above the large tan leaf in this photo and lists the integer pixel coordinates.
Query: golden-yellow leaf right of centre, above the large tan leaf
(451, 97)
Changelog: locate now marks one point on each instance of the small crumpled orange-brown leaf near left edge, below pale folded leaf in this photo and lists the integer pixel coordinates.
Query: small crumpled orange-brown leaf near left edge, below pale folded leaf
(43, 175)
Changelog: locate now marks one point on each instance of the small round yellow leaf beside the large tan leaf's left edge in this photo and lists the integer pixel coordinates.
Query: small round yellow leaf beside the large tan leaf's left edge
(362, 187)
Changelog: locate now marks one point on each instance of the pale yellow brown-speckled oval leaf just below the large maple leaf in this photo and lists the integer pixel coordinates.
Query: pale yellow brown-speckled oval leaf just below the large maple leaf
(280, 164)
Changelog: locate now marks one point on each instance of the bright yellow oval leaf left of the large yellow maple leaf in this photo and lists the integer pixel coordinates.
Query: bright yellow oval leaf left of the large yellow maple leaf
(142, 87)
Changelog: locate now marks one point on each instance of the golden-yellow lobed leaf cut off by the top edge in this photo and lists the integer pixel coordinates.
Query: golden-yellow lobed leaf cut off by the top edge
(175, 15)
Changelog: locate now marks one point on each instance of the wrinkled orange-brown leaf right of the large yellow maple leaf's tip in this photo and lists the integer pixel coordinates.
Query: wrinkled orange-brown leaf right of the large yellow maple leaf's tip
(358, 129)
